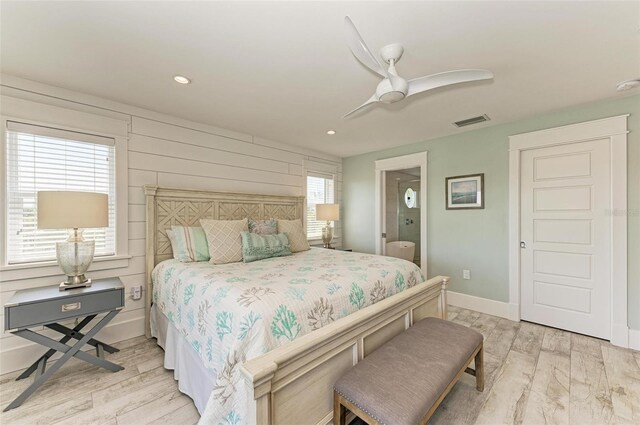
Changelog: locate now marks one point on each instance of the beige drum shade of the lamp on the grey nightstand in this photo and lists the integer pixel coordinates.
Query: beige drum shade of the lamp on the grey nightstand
(71, 210)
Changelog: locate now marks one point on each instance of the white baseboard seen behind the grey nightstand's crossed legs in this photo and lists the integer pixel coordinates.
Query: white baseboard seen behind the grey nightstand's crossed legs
(22, 356)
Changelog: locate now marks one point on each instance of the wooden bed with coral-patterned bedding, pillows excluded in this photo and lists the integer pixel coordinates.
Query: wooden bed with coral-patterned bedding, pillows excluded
(263, 342)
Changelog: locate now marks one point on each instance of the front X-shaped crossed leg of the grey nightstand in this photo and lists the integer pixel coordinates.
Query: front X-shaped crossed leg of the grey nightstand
(69, 351)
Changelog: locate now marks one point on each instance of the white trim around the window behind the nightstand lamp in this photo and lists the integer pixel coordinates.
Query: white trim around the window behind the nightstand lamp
(50, 268)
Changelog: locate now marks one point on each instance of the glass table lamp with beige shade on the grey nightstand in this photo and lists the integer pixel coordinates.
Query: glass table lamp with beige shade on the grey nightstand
(75, 211)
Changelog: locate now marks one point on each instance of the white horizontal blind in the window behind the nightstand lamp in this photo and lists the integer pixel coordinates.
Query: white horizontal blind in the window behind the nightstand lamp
(43, 158)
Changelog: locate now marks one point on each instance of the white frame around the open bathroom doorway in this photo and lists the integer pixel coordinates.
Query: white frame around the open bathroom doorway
(394, 164)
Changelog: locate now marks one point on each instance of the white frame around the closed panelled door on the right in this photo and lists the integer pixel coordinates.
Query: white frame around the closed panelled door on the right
(614, 129)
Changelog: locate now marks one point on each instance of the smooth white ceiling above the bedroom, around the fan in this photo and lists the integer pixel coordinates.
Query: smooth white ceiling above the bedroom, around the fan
(283, 70)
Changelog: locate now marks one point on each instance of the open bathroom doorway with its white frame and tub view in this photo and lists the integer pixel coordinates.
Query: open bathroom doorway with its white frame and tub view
(401, 208)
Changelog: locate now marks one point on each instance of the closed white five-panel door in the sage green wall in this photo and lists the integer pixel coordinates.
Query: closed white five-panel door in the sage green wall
(565, 226)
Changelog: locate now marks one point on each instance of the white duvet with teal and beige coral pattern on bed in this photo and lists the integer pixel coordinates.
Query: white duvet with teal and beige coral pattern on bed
(234, 312)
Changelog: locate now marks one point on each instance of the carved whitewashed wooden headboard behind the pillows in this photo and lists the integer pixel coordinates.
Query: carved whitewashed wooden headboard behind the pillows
(185, 207)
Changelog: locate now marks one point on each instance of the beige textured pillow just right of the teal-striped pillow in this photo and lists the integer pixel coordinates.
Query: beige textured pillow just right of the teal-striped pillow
(223, 238)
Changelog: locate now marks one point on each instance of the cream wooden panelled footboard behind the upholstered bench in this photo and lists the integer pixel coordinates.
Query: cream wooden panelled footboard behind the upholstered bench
(293, 384)
